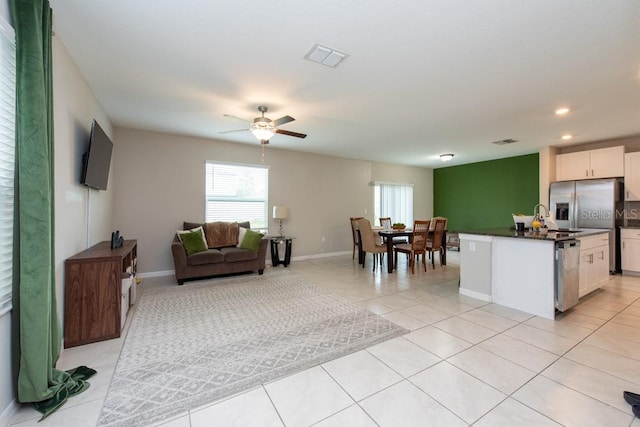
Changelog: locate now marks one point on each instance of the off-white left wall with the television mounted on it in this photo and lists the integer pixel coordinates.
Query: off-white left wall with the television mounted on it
(74, 108)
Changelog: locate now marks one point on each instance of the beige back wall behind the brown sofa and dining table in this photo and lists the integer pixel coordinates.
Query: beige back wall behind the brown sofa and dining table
(159, 181)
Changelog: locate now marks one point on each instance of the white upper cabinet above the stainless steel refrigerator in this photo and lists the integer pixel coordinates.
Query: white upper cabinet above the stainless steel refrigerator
(601, 163)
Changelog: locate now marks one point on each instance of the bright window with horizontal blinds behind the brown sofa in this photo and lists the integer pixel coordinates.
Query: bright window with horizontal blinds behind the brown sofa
(237, 193)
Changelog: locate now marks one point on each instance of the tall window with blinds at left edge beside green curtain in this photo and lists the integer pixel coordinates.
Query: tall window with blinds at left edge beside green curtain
(7, 159)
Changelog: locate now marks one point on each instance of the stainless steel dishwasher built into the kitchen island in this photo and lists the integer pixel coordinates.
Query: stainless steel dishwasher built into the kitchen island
(567, 275)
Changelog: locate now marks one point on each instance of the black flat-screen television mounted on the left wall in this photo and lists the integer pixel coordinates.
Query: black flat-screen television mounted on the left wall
(97, 160)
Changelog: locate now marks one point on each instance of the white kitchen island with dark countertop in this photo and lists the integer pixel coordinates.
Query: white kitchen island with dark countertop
(517, 269)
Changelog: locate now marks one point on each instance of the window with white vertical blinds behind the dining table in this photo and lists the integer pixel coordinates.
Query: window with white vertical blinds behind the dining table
(394, 201)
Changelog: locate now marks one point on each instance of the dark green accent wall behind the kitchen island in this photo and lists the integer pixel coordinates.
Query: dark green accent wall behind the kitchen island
(485, 194)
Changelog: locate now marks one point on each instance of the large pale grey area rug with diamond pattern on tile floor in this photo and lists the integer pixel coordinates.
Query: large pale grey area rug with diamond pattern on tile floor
(194, 344)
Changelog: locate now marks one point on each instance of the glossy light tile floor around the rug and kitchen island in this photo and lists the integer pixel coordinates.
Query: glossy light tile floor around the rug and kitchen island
(465, 362)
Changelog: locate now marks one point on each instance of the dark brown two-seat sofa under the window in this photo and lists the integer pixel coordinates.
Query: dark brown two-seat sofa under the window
(221, 258)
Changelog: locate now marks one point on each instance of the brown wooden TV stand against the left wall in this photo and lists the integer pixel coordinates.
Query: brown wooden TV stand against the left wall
(93, 292)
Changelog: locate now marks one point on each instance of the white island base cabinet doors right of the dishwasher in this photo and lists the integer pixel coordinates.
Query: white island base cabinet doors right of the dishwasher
(594, 262)
